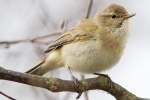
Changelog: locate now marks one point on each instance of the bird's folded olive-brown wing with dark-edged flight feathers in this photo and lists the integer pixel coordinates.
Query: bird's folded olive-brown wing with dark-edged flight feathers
(78, 33)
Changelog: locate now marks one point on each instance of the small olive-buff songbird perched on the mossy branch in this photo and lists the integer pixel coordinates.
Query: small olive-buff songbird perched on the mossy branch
(92, 46)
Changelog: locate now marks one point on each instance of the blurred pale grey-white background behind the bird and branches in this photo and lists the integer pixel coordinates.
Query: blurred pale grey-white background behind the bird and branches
(29, 19)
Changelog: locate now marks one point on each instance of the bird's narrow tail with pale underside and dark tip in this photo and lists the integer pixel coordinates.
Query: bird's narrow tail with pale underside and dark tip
(52, 62)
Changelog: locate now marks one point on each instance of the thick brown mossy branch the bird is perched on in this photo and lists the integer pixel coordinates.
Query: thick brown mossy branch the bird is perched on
(58, 85)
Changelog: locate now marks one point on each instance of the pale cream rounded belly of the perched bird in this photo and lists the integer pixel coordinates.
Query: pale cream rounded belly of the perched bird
(89, 57)
